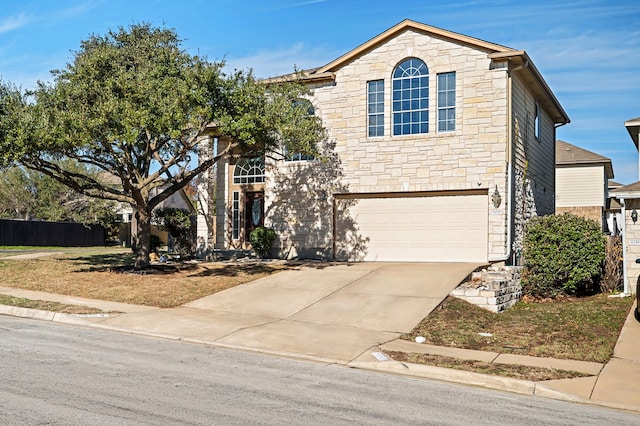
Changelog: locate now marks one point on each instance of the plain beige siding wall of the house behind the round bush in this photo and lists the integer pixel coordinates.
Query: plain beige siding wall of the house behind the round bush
(580, 186)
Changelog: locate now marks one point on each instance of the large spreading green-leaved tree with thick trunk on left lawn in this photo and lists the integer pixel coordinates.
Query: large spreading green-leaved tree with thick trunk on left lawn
(135, 104)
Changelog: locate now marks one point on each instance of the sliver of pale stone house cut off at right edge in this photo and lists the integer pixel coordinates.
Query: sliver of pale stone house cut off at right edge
(629, 198)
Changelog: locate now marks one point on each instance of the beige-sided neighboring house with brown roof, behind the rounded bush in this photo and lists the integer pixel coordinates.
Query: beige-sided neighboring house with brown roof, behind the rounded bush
(582, 182)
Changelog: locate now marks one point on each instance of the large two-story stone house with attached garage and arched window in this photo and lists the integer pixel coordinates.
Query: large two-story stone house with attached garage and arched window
(440, 147)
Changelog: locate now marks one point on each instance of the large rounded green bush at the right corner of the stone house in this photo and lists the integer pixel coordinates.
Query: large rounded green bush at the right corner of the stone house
(563, 254)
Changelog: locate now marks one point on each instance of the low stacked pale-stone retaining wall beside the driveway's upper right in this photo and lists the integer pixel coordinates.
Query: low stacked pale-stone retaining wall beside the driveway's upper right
(494, 288)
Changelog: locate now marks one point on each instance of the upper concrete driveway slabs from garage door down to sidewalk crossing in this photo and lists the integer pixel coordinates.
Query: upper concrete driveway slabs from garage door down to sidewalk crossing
(390, 297)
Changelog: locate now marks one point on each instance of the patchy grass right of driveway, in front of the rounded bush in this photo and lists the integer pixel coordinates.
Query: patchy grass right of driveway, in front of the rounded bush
(570, 328)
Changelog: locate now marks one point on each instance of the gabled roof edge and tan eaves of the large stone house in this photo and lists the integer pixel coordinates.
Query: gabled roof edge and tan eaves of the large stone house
(519, 61)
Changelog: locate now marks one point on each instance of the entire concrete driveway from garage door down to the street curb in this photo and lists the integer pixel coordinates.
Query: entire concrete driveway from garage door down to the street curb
(331, 312)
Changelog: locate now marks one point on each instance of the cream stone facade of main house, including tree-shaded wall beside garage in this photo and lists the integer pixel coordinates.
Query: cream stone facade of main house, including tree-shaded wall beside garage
(300, 197)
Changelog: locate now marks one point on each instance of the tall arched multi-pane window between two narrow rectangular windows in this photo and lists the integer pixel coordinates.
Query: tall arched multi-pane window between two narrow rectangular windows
(411, 97)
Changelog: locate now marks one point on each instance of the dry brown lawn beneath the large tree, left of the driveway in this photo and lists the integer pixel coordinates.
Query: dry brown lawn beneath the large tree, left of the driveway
(91, 273)
